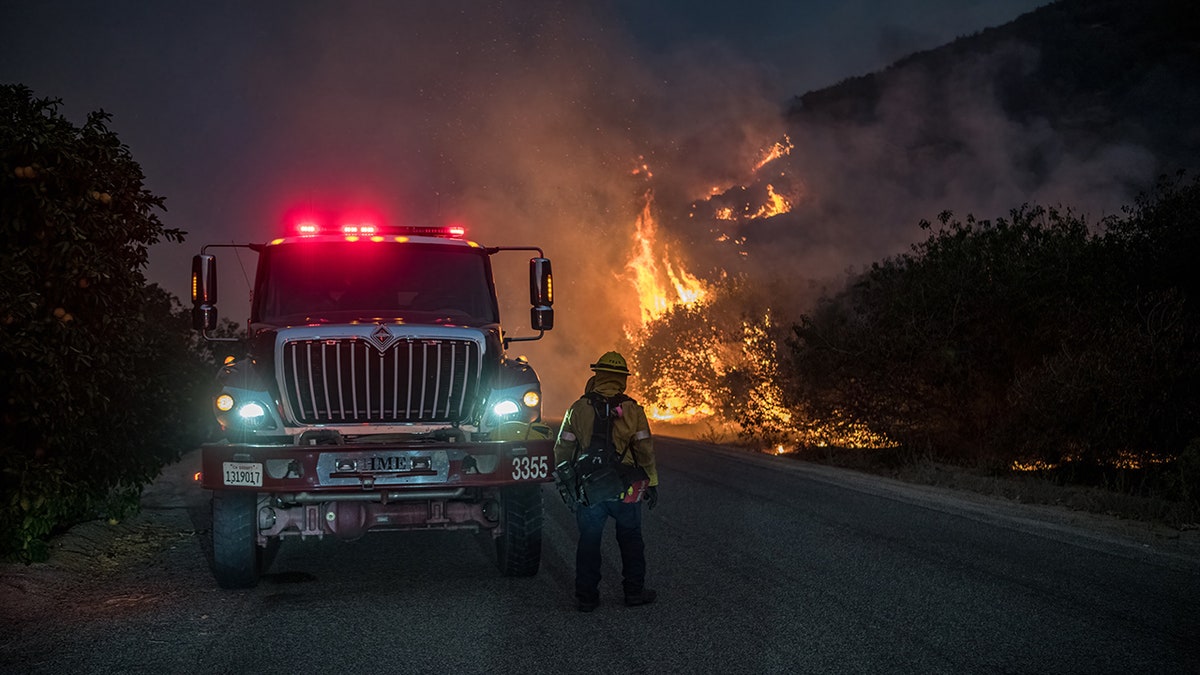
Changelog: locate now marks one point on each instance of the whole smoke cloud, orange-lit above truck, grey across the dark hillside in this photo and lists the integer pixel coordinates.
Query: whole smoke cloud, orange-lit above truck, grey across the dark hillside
(545, 127)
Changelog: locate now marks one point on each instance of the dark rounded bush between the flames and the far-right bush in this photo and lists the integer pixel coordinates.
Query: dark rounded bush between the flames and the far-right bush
(922, 347)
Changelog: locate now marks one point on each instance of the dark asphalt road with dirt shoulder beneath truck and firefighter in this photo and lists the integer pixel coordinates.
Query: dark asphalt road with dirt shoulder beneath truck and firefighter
(764, 565)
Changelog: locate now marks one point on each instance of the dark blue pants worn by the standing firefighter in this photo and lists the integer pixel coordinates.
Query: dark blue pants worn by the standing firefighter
(629, 537)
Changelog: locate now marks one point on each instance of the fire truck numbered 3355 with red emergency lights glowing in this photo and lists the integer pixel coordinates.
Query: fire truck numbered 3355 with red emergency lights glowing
(375, 395)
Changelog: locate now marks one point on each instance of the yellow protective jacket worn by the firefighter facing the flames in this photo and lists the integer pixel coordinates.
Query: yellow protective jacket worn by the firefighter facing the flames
(631, 432)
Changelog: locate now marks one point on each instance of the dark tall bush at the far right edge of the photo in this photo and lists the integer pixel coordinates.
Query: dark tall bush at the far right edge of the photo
(1123, 383)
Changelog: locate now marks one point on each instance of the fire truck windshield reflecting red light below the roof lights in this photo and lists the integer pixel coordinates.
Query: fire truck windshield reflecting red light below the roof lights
(311, 283)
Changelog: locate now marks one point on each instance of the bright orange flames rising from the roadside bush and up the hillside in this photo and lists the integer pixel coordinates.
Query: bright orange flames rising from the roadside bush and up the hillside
(689, 387)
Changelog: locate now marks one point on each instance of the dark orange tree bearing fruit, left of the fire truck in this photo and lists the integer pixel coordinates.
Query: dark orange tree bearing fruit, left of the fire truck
(98, 378)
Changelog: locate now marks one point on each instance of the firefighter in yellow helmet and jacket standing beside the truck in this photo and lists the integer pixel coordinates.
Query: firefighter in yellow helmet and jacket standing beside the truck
(631, 434)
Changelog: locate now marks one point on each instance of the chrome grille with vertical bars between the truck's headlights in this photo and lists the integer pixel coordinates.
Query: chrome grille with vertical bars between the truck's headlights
(351, 381)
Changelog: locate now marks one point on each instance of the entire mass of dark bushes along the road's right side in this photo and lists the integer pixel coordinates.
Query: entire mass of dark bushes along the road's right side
(1030, 338)
